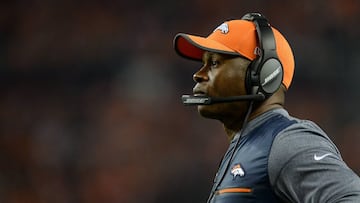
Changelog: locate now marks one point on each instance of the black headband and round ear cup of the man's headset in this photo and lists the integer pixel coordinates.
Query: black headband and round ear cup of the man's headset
(265, 73)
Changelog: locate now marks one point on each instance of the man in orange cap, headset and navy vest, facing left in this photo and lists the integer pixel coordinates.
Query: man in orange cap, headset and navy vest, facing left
(273, 157)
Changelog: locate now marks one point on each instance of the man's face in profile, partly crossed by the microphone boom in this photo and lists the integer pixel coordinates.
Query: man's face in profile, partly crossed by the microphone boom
(221, 76)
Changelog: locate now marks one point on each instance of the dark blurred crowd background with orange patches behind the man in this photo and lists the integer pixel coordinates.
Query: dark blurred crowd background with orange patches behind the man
(90, 107)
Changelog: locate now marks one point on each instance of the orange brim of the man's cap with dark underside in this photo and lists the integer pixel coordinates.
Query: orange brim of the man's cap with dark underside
(193, 47)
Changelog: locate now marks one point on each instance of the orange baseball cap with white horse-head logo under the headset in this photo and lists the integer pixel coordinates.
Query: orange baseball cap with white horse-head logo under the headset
(235, 37)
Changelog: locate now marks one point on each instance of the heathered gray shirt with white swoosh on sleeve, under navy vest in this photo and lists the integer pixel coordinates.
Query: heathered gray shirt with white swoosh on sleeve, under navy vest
(305, 165)
